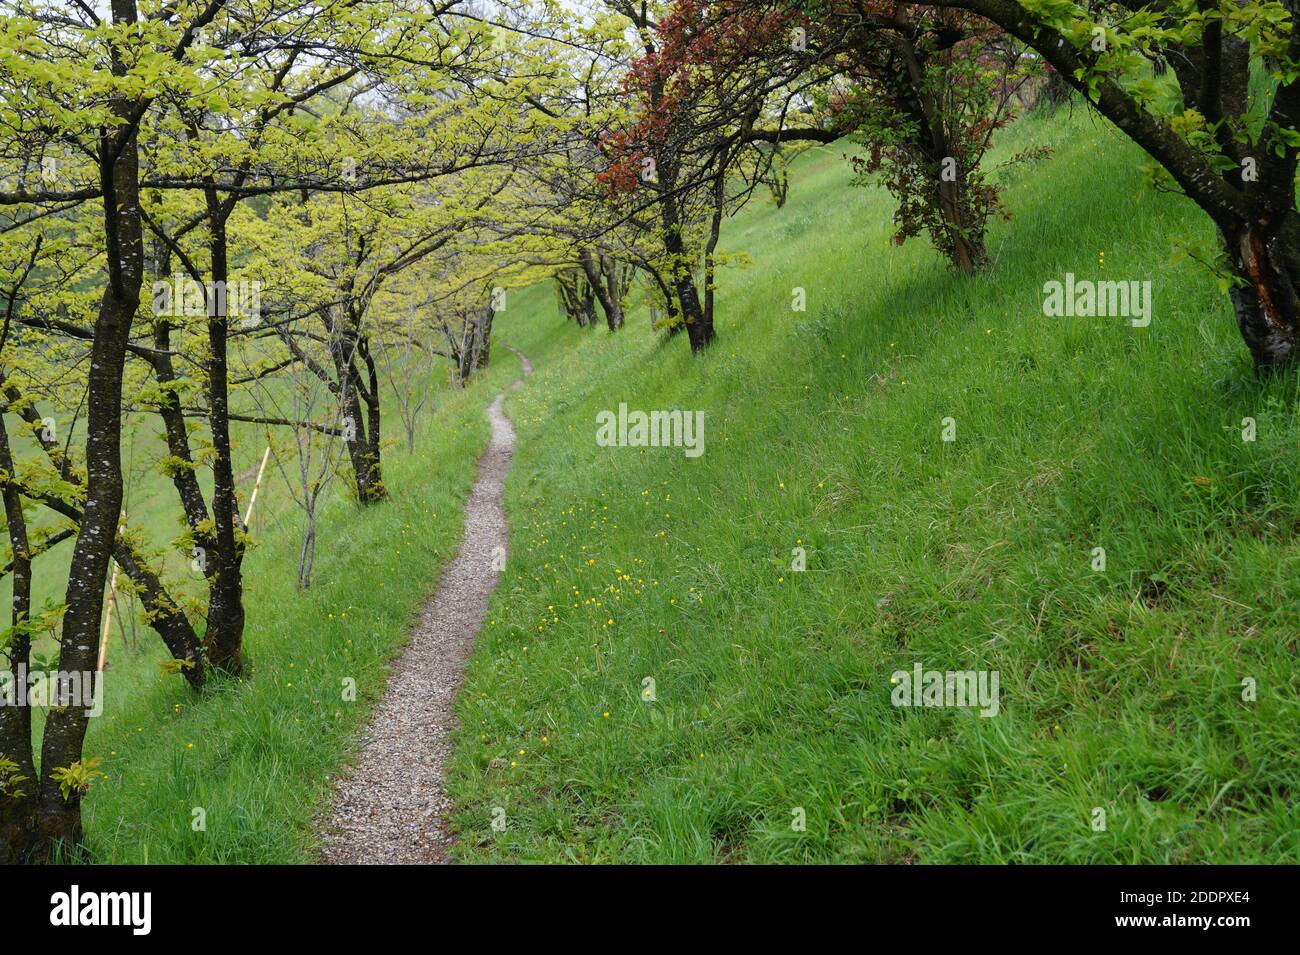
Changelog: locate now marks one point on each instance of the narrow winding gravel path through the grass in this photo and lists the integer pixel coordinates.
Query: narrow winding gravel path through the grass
(392, 808)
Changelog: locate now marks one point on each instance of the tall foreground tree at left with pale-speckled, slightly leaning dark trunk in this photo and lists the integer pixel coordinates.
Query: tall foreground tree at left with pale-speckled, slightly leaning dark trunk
(70, 92)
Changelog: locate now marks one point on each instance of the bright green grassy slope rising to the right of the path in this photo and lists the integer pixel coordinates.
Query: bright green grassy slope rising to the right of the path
(1121, 691)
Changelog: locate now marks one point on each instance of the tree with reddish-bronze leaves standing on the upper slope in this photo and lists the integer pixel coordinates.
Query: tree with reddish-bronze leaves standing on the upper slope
(925, 90)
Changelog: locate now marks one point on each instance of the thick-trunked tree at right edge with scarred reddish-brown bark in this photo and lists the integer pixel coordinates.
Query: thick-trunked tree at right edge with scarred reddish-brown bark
(1227, 137)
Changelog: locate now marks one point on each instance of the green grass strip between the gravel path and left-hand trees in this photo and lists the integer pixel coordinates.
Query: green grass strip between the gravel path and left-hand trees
(257, 756)
